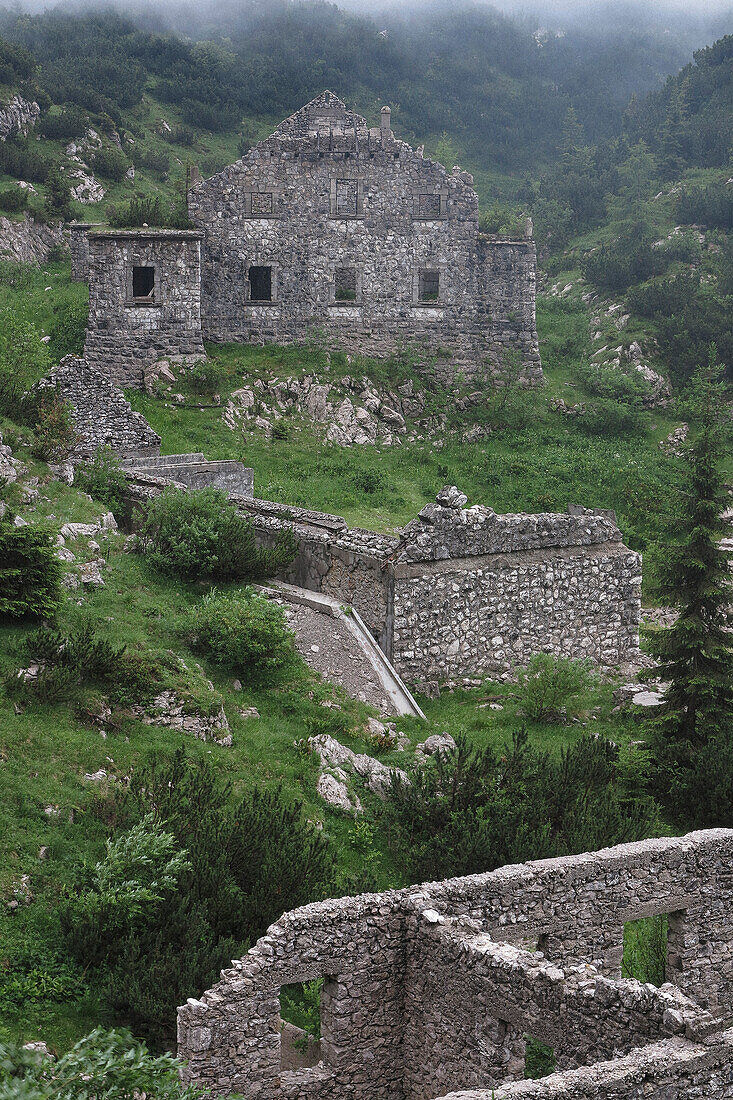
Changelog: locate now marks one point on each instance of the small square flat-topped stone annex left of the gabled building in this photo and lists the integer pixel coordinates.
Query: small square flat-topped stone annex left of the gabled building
(145, 301)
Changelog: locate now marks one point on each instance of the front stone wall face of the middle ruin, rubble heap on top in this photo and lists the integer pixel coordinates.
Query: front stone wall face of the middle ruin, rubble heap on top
(478, 593)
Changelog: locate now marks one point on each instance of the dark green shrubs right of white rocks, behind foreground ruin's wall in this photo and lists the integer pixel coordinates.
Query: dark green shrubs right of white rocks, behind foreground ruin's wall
(473, 810)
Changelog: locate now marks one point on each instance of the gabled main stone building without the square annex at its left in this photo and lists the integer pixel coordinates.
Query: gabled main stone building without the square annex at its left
(367, 244)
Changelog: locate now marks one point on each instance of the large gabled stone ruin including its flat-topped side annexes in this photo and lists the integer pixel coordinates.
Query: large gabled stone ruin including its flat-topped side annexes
(329, 230)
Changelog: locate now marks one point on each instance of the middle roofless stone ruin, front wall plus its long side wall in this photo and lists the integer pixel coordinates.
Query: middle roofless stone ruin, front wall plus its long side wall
(465, 592)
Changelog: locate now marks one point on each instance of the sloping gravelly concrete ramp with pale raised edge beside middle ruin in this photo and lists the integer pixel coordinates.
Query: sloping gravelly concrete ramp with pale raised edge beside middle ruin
(346, 652)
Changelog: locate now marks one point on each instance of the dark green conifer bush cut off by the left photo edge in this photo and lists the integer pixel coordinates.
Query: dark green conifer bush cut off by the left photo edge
(30, 571)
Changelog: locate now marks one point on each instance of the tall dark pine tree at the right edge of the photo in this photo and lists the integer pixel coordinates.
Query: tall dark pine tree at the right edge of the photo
(696, 655)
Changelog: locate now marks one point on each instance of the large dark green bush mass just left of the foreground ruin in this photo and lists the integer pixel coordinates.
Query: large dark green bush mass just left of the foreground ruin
(251, 860)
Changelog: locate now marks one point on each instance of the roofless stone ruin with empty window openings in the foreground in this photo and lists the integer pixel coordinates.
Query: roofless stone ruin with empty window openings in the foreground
(433, 992)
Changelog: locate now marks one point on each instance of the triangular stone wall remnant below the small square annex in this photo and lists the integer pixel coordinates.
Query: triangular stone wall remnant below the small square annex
(102, 415)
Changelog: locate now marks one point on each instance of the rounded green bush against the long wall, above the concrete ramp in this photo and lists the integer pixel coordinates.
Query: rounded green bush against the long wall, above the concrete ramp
(196, 534)
